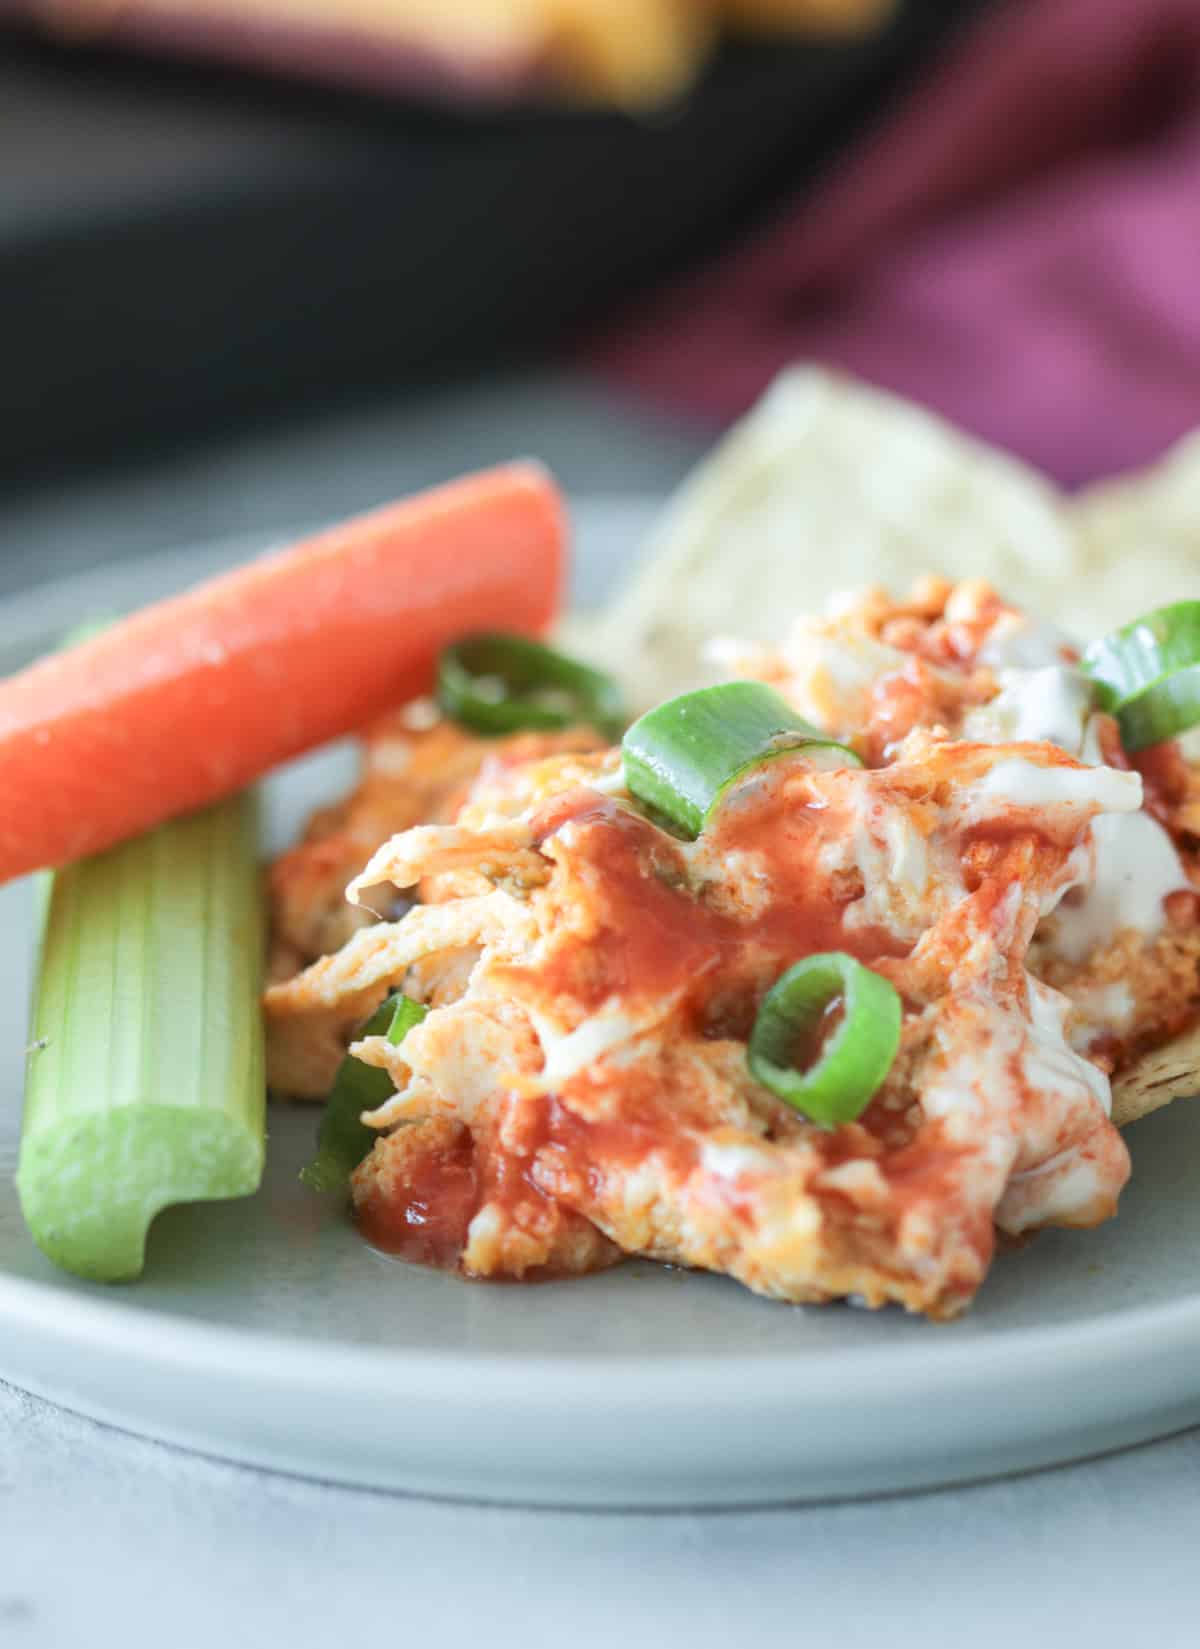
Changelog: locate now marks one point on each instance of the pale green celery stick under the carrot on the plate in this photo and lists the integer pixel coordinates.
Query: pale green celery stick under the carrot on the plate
(146, 1073)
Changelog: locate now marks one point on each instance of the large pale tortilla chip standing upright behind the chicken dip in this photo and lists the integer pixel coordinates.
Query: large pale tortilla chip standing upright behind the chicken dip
(825, 486)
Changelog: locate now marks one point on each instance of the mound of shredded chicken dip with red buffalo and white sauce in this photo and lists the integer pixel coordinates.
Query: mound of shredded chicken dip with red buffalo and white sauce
(579, 1089)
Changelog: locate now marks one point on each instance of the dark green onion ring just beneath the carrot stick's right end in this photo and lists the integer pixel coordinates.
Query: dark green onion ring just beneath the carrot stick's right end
(500, 684)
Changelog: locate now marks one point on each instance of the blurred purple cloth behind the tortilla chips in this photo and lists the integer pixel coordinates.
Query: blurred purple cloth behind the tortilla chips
(1020, 250)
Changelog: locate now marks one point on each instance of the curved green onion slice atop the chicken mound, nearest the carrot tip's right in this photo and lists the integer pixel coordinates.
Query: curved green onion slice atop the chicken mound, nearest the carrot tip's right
(683, 756)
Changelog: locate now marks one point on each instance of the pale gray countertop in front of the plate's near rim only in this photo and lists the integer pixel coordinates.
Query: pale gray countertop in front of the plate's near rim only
(115, 1541)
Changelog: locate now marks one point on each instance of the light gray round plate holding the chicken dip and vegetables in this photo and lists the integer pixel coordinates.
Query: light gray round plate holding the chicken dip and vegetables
(266, 1332)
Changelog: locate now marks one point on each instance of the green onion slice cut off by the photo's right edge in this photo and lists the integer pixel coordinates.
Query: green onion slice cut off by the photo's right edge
(1148, 675)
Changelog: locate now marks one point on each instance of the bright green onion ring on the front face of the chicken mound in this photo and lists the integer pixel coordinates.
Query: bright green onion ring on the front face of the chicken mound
(845, 1068)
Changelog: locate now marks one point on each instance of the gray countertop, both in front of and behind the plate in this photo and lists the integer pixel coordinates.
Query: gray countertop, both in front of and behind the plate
(108, 1539)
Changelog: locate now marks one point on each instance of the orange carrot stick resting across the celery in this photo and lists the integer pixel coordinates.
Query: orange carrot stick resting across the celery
(194, 698)
